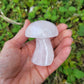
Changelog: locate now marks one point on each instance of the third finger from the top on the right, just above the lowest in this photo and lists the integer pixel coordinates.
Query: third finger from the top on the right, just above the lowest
(65, 42)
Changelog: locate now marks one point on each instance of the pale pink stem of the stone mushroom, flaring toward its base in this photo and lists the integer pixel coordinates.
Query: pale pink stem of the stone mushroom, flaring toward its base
(43, 54)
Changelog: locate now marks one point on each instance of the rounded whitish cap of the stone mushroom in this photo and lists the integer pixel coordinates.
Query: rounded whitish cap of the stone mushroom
(41, 29)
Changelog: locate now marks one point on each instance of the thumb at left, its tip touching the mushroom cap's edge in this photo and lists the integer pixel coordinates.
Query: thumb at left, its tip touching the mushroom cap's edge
(20, 38)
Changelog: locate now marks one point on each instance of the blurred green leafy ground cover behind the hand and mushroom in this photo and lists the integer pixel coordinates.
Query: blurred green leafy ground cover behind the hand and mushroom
(70, 12)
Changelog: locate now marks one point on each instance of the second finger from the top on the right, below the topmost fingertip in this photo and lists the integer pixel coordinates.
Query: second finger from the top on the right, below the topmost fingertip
(63, 34)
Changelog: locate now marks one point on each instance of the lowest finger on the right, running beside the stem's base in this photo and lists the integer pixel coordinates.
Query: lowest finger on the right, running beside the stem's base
(60, 58)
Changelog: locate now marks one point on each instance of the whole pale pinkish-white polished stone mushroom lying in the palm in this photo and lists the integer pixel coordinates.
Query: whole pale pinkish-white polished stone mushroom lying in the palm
(42, 30)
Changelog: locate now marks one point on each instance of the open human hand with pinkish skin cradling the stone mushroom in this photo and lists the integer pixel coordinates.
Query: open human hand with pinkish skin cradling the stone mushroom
(15, 58)
